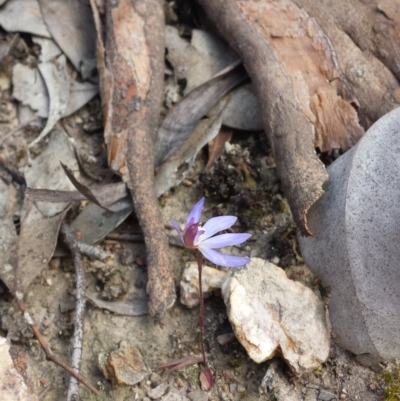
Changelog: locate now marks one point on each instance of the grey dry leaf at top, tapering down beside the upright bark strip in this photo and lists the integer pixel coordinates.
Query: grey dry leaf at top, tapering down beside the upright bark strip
(72, 27)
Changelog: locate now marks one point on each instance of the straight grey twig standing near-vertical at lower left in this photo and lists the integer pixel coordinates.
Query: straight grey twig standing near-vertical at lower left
(73, 390)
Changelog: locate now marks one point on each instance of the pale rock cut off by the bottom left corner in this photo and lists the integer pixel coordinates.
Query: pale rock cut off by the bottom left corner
(12, 384)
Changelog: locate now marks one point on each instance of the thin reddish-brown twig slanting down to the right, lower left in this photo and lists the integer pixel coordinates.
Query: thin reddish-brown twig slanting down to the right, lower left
(49, 355)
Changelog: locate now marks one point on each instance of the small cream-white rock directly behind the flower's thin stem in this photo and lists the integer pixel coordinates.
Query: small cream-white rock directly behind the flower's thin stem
(212, 280)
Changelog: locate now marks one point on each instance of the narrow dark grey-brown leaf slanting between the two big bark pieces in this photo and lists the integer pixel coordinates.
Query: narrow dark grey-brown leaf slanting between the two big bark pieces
(183, 117)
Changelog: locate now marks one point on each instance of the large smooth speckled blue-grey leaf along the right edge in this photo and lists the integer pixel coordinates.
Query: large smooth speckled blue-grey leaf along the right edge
(355, 248)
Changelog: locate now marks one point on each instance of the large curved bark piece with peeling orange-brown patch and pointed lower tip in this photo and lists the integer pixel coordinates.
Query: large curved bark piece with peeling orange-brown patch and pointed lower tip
(304, 97)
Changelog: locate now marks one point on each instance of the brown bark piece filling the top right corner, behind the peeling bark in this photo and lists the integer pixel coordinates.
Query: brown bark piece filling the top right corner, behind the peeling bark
(371, 68)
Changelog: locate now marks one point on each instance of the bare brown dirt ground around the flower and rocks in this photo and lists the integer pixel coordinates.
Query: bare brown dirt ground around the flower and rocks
(242, 182)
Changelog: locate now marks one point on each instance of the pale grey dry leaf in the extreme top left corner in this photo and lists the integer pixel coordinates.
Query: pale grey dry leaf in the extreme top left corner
(23, 16)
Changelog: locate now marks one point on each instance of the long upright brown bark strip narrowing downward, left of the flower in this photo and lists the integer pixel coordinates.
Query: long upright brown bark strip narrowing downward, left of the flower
(130, 56)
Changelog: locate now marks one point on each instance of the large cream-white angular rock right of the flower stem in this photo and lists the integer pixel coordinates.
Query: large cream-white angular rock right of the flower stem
(270, 313)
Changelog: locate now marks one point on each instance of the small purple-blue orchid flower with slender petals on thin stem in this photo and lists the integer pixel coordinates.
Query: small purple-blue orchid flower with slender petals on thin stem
(195, 236)
